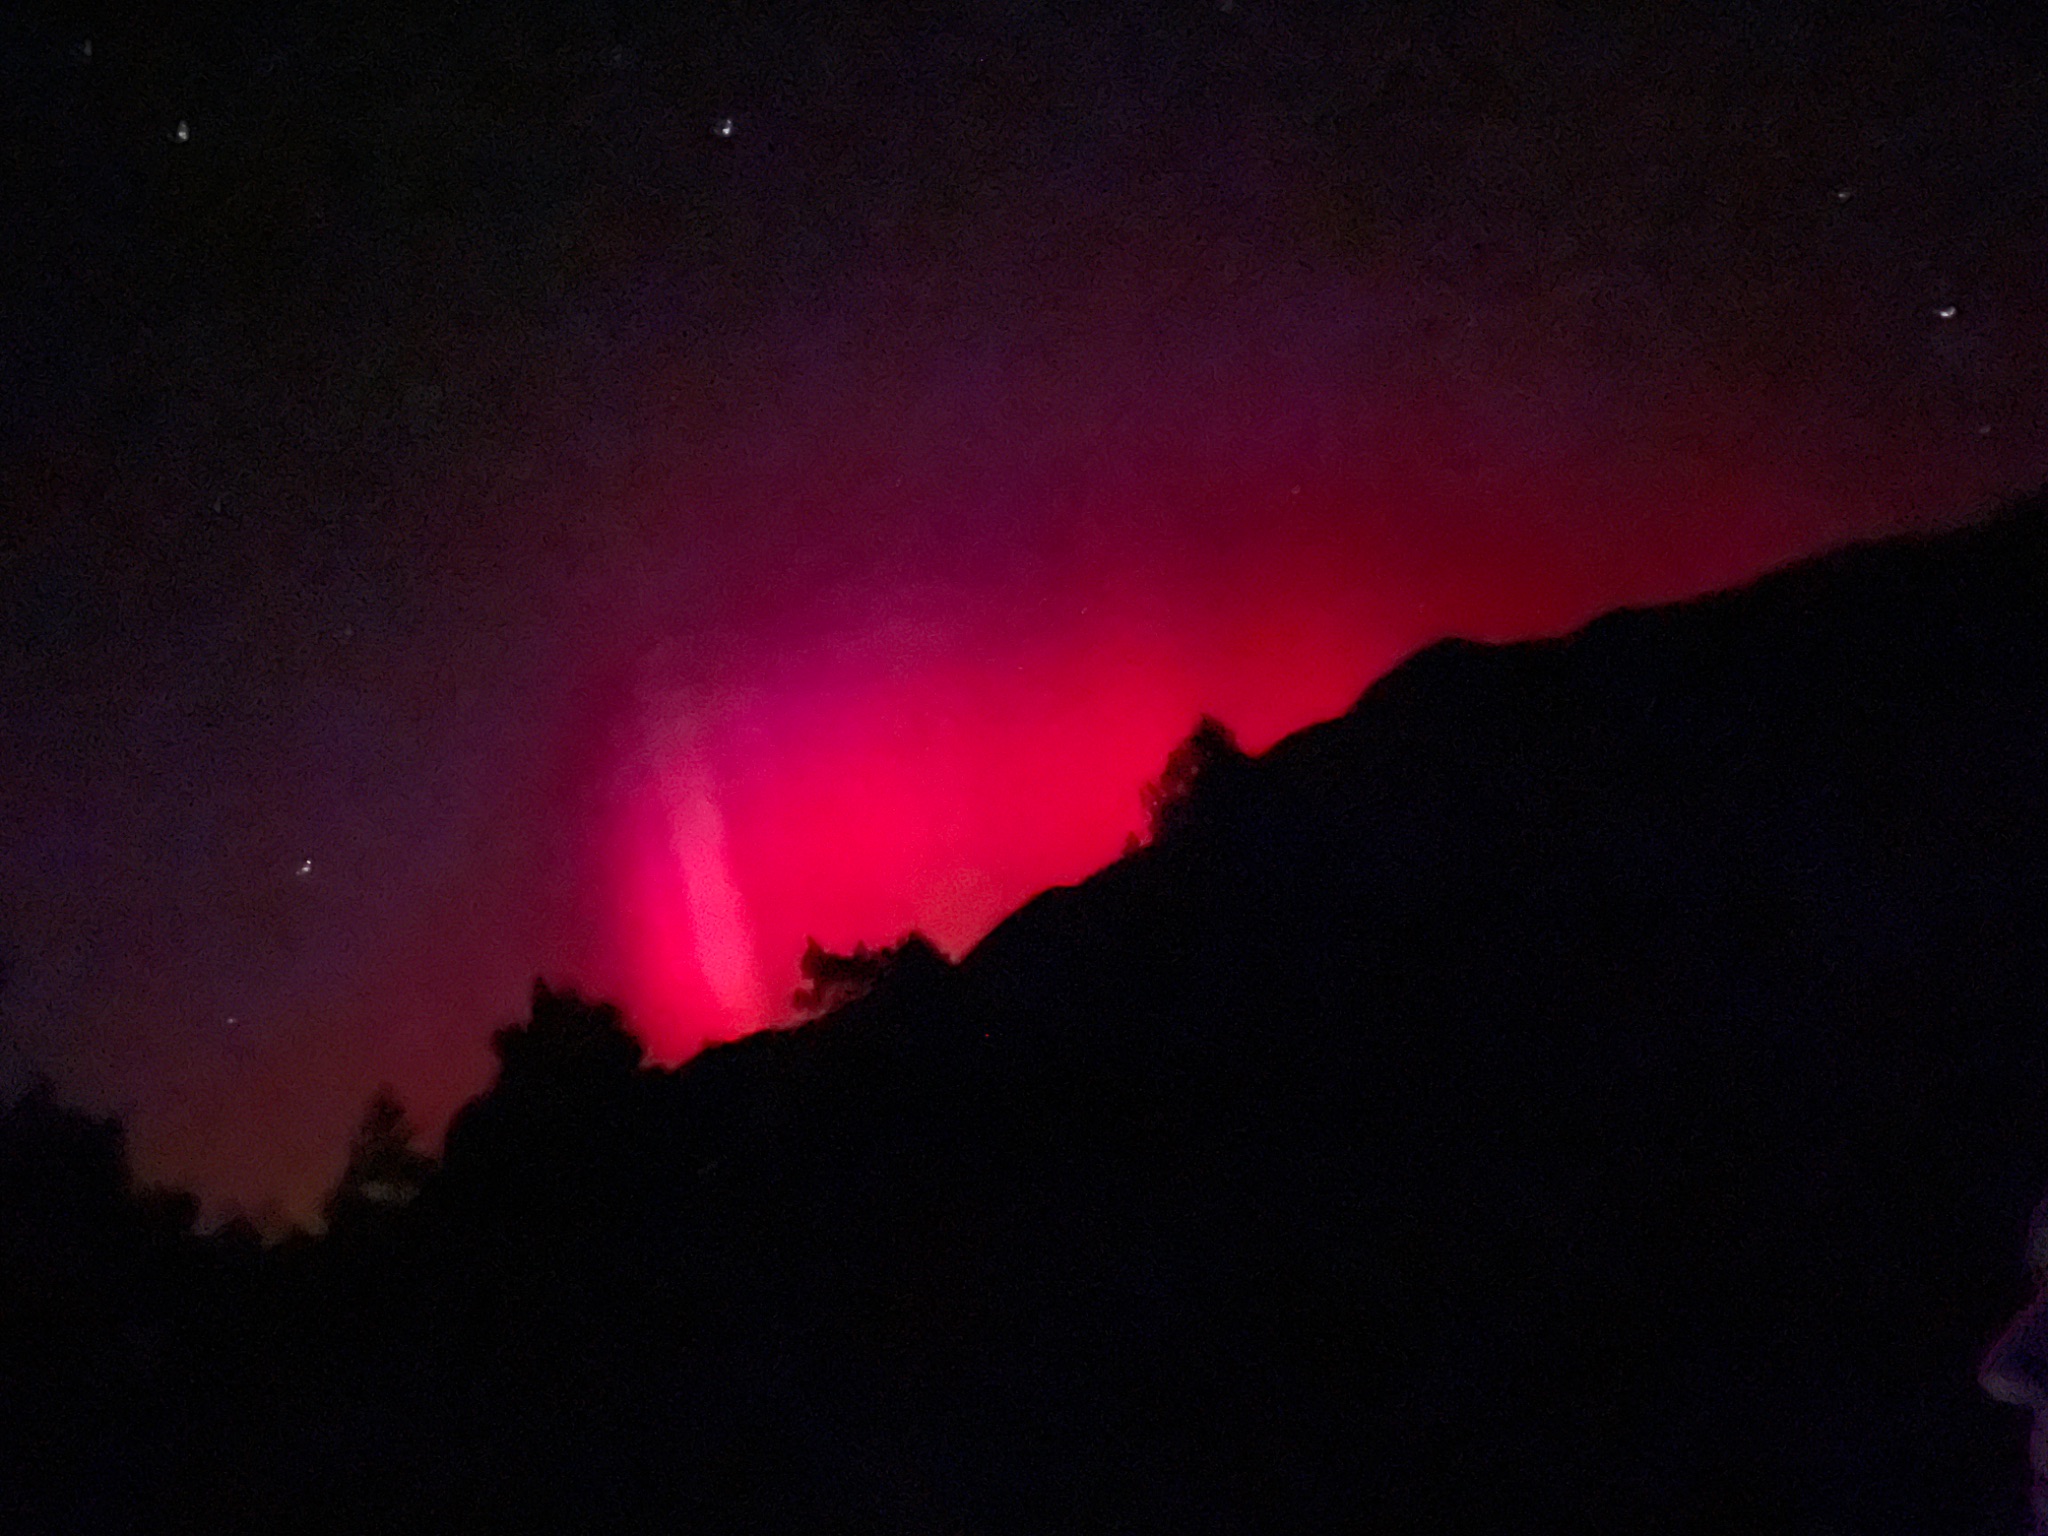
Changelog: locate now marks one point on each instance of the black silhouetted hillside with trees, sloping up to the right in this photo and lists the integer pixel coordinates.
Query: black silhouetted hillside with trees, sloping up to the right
(1594, 1084)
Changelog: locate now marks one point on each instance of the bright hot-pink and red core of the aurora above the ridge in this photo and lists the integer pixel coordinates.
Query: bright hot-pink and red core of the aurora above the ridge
(935, 775)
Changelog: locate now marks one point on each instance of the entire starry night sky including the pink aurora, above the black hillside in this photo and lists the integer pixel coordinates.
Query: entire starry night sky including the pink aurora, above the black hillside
(613, 497)
